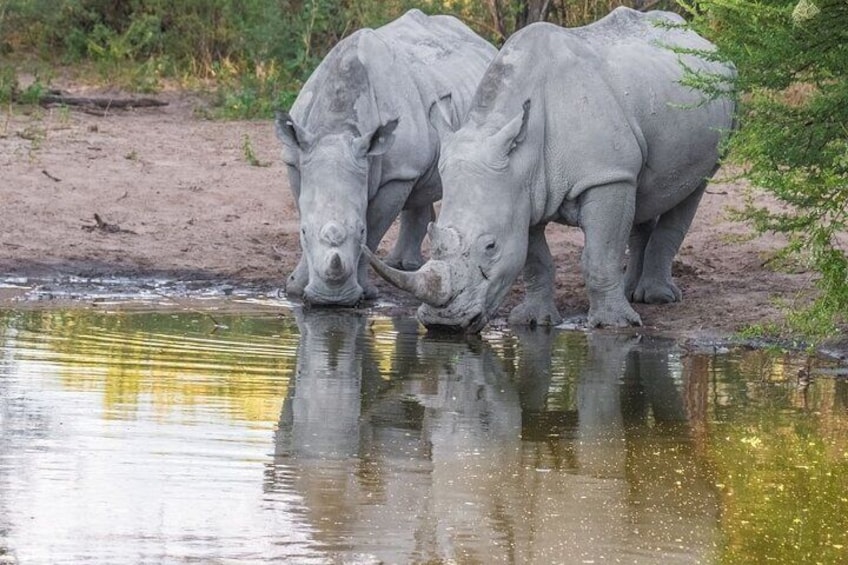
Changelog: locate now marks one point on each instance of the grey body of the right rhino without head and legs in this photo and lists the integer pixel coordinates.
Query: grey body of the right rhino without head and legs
(608, 106)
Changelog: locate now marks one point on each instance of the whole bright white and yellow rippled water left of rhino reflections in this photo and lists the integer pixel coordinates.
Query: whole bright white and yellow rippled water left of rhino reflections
(135, 438)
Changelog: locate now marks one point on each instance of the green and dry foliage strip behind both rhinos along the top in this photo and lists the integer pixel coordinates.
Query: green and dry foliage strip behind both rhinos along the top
(255, 53)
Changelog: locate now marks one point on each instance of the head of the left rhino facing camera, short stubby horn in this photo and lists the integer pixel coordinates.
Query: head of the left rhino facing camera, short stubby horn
(331, 174)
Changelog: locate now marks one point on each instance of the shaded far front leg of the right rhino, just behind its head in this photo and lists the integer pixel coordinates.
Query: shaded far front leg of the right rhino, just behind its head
(538, 307)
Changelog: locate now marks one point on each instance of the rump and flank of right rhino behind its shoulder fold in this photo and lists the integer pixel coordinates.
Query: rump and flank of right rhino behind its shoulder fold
(678, 128)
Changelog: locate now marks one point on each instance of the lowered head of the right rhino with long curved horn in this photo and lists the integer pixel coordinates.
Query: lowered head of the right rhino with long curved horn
(479, 242)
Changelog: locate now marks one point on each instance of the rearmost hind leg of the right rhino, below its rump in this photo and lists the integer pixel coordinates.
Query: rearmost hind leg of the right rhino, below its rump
(655, 283)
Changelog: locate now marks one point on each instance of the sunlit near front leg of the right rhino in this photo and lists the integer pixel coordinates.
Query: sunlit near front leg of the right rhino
(606, 215)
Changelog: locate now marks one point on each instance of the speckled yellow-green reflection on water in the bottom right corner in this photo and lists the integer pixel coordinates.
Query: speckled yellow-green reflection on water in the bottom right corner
(779, 450)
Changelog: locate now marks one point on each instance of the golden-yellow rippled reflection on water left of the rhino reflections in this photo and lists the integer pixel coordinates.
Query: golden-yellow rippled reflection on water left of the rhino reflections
(174, 363)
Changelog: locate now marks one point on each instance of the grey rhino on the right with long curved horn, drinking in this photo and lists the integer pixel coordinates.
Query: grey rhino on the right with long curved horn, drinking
(588, 127)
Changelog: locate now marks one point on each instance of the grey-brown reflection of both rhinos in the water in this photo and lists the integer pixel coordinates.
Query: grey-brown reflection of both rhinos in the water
(465, 457)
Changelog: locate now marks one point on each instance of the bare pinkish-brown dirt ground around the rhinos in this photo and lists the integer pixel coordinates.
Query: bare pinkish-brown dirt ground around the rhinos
(177, 196)
